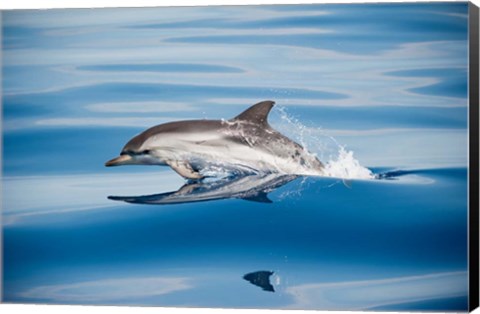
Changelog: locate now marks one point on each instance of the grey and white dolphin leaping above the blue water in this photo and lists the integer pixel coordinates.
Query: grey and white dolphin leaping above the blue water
(195, 148)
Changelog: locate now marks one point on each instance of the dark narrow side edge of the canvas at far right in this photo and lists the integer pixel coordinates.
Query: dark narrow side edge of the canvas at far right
(474, 158)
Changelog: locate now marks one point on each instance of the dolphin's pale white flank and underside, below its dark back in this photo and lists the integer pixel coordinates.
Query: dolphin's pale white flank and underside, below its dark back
(208, 150)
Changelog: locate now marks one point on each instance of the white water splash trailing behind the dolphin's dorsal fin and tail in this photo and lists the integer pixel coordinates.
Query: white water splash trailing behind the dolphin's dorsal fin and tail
(340, 162)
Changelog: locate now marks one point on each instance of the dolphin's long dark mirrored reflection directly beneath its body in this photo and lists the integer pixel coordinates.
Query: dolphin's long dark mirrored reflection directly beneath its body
(251, 188)
